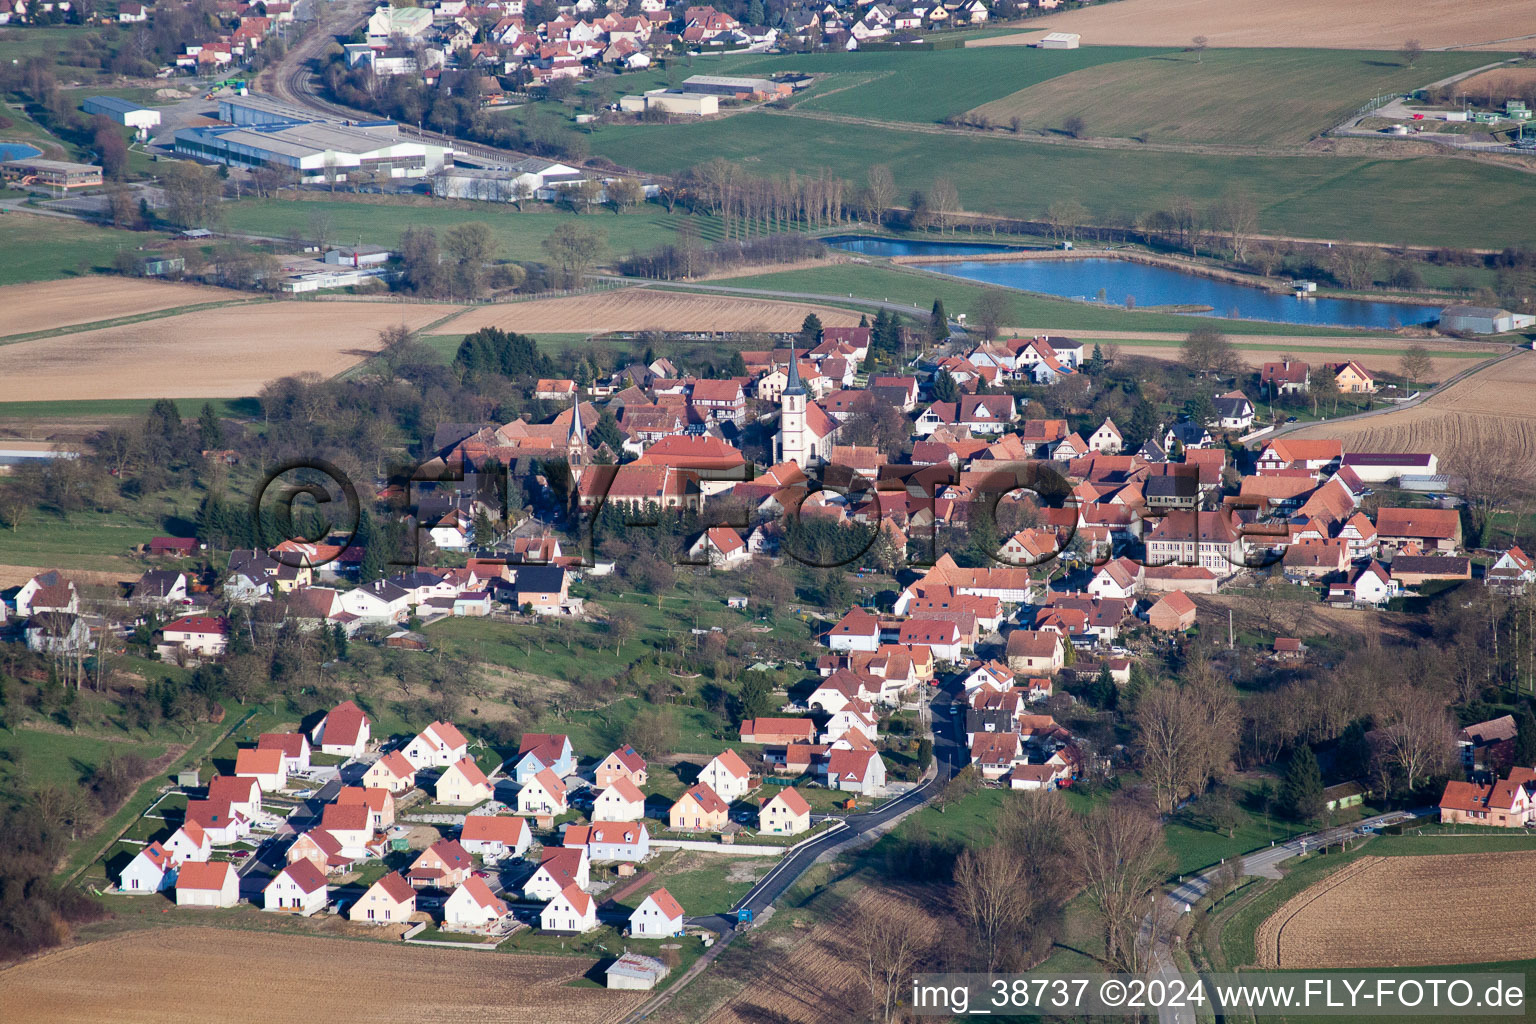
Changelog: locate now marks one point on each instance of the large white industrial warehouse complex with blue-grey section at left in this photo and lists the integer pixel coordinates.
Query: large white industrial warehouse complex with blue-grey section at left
(263, 133)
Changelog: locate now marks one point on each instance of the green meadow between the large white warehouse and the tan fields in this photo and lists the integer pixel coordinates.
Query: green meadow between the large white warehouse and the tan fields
(518, 236)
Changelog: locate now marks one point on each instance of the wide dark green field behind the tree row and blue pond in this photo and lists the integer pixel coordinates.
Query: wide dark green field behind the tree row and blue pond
(1309, 197)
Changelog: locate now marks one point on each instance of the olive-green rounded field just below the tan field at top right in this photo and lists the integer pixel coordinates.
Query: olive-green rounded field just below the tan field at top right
(1231, 96)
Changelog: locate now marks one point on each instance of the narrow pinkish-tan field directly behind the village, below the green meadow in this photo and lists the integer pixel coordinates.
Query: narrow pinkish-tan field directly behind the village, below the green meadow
(646, 309)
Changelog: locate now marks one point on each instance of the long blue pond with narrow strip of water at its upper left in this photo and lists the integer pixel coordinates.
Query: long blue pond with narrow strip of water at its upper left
(1147, 285)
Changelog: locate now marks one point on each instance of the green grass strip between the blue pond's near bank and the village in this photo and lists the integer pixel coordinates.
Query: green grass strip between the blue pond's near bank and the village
(1027, 309)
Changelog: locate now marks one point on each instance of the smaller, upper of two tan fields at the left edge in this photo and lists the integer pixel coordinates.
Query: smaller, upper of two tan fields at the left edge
(51, 305)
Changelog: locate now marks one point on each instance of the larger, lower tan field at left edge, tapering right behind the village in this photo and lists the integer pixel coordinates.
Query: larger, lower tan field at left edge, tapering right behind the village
(211, 354)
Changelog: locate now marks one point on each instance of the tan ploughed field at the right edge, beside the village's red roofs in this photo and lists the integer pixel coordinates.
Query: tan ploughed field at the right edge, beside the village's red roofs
(1491, 409)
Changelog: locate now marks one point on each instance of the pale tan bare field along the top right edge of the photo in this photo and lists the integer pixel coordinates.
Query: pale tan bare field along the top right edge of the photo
(1322, 24)
